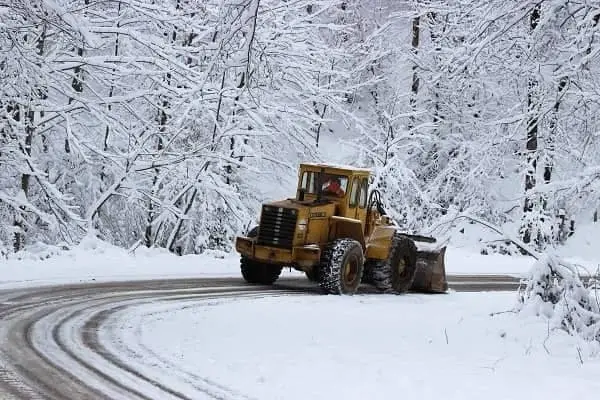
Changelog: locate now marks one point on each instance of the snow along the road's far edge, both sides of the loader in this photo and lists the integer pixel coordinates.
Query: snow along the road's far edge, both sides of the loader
(94, 260)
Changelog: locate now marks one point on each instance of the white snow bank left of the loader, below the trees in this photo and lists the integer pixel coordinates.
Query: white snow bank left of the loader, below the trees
(95, 260)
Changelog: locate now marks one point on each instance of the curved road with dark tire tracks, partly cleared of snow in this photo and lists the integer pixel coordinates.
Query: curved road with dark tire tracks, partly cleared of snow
(49, 336)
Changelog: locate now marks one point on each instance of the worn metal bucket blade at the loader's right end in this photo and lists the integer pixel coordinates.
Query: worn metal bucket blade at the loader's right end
(430, 276)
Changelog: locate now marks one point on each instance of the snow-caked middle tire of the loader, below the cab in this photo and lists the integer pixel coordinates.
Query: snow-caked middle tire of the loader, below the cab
(342, 266)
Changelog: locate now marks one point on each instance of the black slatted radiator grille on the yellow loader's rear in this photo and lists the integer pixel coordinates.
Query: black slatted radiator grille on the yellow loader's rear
(277, 226)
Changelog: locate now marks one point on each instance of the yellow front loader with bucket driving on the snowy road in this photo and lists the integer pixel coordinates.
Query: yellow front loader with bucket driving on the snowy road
(336, 231)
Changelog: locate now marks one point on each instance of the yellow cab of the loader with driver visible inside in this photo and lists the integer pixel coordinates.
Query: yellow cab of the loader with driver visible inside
(346, 187)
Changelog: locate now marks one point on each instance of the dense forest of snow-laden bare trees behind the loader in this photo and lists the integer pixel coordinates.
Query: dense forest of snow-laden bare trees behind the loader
(157, 122)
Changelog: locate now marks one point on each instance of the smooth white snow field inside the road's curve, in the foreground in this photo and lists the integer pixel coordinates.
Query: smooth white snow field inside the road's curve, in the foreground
(325, 347)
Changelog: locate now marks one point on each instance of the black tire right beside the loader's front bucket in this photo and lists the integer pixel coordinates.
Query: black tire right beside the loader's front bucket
(398, 272)
